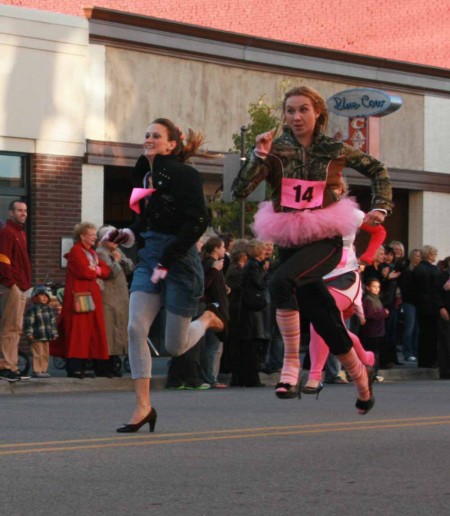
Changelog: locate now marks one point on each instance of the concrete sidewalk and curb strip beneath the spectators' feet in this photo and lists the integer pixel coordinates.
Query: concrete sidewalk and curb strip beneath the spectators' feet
(59, 383)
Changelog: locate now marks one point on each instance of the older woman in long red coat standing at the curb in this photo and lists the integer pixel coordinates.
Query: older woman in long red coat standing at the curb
(84, 334)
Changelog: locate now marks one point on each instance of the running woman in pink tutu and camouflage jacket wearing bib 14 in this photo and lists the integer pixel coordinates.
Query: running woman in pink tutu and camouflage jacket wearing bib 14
(307, 219)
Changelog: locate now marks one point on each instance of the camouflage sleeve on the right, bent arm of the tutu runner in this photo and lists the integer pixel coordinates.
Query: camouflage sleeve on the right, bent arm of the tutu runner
(376, 172)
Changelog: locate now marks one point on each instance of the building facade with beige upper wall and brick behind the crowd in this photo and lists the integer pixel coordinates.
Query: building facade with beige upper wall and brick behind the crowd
(79, 88)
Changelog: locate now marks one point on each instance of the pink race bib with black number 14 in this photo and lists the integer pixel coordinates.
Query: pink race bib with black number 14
(301, 194)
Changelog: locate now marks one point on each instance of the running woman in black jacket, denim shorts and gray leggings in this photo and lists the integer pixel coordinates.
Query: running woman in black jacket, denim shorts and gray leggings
(172, 217)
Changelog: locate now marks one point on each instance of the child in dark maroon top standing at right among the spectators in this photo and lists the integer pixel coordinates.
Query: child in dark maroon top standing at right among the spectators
(374, 329)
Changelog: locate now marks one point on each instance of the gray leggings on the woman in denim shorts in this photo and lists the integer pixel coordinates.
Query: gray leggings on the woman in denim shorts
(181, 332)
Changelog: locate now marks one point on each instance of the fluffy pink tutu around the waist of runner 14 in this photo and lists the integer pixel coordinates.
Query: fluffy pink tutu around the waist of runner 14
(297, 228)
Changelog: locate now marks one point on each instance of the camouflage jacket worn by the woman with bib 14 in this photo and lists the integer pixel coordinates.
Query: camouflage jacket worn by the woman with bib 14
(324, 160)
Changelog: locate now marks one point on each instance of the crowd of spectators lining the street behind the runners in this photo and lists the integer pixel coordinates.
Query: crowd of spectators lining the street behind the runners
(403, 315)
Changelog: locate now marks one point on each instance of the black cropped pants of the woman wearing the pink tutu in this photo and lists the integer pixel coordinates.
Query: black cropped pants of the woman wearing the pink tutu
(297, 284)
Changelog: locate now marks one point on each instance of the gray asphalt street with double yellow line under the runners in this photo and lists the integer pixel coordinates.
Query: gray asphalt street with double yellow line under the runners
(228, 452)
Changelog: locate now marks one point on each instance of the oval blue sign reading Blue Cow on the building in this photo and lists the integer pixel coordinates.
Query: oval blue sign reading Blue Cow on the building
(363, 102)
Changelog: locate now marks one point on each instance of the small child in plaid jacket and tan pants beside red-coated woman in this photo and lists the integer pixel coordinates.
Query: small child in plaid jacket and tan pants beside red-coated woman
(40, 328)
